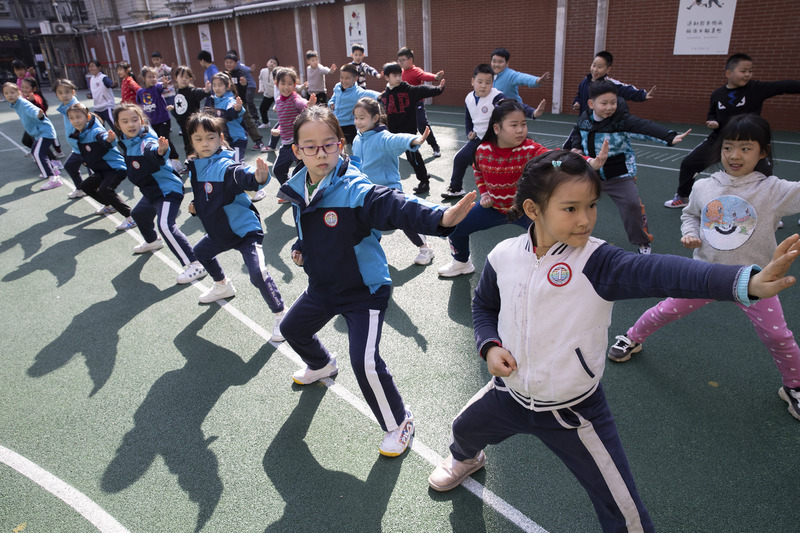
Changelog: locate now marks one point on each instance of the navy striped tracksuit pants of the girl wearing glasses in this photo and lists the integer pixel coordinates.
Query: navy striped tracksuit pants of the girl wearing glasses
(309, 314)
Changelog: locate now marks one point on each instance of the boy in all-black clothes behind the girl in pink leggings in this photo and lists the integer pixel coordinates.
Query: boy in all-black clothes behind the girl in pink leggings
(739, 96)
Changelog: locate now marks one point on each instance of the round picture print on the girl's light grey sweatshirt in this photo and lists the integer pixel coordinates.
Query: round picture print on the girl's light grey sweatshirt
(728, 222)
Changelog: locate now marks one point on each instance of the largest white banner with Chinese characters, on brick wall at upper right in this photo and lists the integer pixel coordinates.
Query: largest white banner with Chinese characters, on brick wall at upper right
(704, 27)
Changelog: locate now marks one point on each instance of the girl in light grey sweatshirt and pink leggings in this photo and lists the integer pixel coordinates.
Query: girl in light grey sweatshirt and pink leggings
(731, 219)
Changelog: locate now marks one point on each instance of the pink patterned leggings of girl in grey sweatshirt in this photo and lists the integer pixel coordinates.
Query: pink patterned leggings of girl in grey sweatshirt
(766, 315)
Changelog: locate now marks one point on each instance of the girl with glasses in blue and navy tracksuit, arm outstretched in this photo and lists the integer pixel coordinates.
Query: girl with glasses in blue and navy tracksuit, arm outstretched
(339, 217)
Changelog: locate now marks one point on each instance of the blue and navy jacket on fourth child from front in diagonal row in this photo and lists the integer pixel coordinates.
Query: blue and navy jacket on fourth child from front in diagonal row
(147, 170)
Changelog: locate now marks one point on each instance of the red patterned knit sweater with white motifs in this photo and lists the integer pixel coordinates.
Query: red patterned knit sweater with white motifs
(497, 170)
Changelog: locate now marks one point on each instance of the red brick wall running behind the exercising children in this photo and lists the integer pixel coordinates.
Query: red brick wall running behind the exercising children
(464, 32)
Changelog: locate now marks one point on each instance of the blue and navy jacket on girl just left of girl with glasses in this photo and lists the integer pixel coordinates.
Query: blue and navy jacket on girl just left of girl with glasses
(218, 183)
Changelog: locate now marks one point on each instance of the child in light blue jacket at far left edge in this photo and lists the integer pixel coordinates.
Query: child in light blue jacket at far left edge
(39, 128)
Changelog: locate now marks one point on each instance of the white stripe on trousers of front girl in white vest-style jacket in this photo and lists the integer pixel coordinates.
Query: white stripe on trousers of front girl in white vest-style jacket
(608, 469)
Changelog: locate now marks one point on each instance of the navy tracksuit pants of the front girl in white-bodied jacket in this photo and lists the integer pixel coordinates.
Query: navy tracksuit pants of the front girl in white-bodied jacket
(583, 436)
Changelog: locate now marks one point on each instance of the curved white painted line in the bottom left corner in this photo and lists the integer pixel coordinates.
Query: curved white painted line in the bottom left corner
(88, 509)
